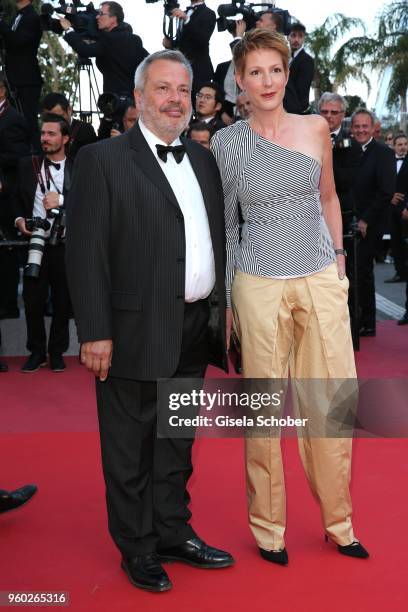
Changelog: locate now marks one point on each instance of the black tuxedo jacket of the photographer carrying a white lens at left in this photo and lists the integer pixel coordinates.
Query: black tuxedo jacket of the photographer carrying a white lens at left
(27, 186)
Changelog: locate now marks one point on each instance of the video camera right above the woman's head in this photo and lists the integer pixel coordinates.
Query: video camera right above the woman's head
(249, 15)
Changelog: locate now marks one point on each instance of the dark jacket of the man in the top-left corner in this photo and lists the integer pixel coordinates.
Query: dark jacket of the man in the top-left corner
(22, 48)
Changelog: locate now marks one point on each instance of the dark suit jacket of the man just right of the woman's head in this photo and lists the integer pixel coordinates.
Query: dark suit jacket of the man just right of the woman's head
(301, 72)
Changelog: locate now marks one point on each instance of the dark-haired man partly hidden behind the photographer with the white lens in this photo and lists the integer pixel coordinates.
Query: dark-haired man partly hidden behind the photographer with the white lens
(81, 132)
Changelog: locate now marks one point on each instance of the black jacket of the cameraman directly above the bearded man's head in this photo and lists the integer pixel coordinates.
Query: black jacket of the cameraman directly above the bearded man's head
(194, 42)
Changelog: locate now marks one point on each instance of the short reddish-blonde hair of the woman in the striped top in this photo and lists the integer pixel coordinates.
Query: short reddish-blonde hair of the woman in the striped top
(260, 39)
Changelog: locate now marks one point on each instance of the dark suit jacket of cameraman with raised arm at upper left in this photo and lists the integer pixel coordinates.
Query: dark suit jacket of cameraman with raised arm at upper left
(118, 53)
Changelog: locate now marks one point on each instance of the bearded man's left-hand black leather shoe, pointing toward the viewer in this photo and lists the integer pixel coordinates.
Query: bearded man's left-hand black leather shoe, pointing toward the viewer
(145, 572)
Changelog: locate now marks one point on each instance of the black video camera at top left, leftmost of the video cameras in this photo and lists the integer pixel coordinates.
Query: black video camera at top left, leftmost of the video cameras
(83, 21)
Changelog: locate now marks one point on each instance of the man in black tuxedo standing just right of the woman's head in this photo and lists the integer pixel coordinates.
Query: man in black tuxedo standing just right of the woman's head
(301, 73)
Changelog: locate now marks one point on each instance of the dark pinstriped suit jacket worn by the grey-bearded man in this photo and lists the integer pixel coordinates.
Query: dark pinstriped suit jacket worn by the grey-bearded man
(126, 253)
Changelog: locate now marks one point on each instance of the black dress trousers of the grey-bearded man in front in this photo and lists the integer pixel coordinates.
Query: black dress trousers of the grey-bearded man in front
(146, 477)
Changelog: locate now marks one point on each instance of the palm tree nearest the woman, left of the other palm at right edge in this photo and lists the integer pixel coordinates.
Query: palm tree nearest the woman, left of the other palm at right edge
(331, 68)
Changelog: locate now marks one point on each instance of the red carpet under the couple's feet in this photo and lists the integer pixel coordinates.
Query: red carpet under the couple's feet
(60, 542)
